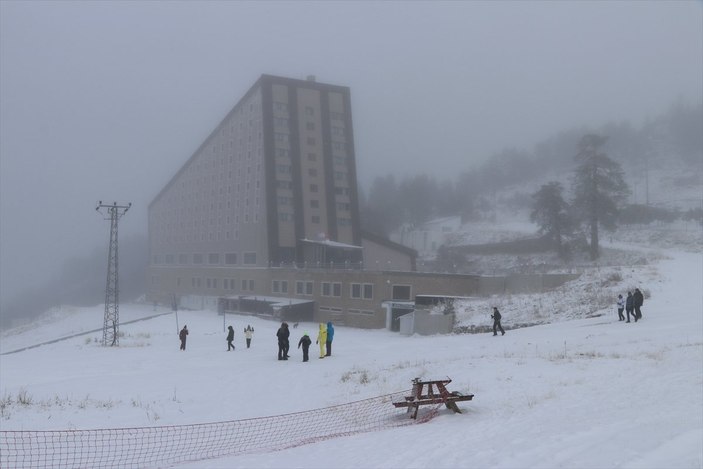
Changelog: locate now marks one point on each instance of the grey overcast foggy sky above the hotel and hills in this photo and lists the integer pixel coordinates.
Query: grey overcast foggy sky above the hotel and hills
(106, 100)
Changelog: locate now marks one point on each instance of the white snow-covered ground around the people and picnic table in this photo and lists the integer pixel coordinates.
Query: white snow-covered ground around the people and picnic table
(581, 390)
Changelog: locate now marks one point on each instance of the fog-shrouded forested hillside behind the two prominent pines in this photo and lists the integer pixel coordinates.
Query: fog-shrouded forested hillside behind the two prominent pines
(662, 161)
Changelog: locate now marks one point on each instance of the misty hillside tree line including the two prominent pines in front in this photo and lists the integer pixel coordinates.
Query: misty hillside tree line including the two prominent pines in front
(673, 137)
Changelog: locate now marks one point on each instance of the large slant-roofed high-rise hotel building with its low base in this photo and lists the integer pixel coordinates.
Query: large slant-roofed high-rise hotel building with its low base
(264, 217)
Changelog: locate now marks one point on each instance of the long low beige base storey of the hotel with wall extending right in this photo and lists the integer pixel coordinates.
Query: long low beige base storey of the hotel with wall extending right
(343, 305)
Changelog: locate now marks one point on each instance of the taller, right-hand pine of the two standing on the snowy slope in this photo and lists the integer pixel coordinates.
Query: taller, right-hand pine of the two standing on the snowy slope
(599, 188)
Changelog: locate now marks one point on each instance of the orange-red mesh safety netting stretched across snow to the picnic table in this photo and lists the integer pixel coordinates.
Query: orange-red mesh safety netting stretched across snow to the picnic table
(144, 447)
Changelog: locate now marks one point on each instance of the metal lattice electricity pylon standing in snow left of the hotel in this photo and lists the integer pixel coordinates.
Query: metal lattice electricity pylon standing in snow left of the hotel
(111, 324)
